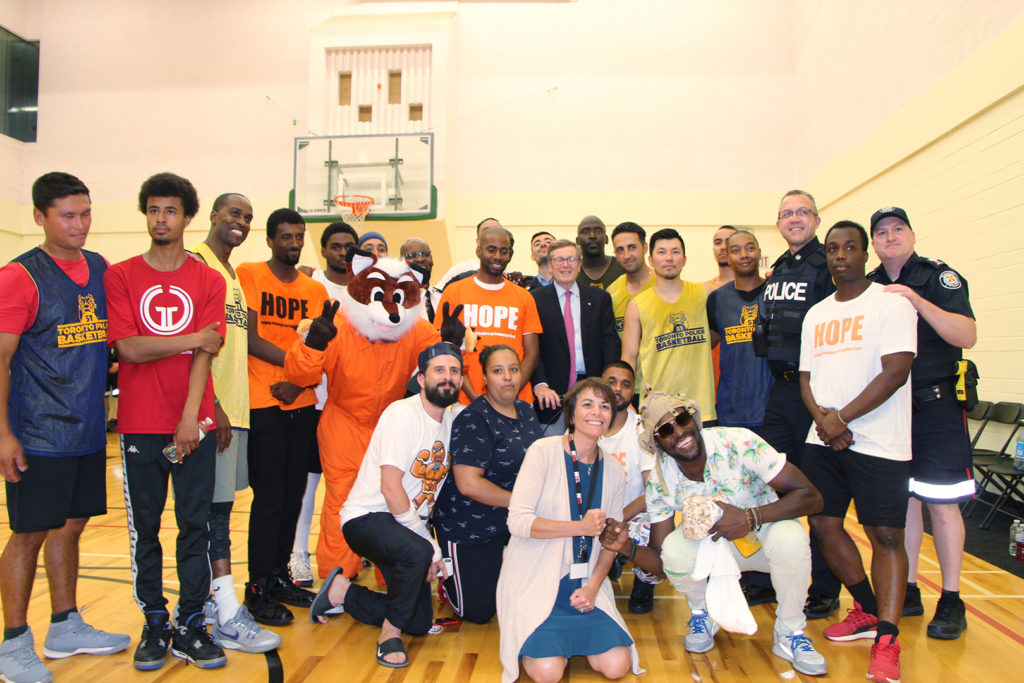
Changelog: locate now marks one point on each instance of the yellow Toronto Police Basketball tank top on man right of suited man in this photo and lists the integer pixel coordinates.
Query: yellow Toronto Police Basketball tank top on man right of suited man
(675, 347)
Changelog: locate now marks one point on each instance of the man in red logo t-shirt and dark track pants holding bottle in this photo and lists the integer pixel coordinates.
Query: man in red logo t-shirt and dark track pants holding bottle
(166, 321)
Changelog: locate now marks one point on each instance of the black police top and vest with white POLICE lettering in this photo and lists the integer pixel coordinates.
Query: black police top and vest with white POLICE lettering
(798, 282)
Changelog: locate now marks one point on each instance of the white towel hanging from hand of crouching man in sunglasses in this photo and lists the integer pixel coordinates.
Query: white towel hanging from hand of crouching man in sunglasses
(724, 599)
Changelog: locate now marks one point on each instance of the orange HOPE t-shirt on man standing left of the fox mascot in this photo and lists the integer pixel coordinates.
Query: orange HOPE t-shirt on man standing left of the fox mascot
(279, 308)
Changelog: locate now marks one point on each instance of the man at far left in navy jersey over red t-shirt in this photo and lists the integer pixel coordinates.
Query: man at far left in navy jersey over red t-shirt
(53, 444)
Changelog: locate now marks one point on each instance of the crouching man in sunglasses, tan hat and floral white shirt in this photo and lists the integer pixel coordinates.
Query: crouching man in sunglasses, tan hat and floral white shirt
(763, 496)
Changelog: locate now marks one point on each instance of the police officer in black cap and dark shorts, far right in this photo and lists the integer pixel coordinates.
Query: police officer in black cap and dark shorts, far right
(941, 472)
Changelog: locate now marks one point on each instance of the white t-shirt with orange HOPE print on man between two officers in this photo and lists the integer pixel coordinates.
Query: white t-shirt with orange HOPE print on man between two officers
(842, 345)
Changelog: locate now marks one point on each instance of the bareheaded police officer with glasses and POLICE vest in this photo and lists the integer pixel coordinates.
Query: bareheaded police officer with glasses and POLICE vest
(799, 280)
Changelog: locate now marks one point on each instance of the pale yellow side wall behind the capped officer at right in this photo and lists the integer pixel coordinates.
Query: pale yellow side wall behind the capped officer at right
(955, 160)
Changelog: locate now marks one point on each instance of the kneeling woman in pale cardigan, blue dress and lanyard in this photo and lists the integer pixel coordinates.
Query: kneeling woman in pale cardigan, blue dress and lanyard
(554, 599)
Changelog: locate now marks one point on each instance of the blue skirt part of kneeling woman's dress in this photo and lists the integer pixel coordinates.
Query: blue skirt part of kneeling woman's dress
(569, 633)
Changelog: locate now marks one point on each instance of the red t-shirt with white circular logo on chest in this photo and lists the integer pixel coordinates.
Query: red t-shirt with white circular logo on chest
(145, 303)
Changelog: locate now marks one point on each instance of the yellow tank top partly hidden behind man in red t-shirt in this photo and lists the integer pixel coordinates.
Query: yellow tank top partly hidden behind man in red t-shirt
(231, 366)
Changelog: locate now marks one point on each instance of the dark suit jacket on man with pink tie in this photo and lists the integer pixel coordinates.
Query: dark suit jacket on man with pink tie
(598, 324)
